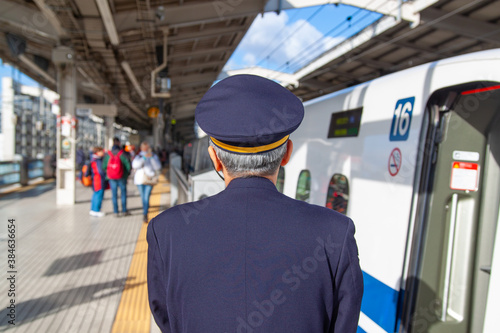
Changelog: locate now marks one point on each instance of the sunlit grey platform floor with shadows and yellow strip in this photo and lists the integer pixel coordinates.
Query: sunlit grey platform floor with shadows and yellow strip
(74, 272)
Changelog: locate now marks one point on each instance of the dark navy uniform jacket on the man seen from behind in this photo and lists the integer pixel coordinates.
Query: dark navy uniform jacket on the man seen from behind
(251, 259)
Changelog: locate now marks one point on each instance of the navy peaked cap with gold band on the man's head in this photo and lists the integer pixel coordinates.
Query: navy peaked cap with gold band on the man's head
(249, 114)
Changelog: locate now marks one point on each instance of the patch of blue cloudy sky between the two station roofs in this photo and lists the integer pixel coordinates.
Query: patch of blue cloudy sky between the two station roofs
(289, 41)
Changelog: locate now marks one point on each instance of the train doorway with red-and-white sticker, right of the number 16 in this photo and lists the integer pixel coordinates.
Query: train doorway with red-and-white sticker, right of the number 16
(458, 207)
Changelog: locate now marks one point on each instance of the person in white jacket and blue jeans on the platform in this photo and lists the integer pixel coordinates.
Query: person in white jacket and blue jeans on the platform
(145, 164)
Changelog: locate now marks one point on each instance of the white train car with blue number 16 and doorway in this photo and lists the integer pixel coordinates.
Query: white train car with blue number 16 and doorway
(414, 159)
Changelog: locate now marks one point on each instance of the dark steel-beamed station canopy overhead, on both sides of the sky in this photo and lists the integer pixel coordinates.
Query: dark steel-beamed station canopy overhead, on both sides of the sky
(116, 46)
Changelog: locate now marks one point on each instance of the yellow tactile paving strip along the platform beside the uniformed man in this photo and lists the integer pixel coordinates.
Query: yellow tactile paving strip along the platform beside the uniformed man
(133, 315)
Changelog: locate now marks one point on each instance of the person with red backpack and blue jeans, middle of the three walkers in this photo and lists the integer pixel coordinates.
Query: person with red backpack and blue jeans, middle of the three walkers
(117, 174)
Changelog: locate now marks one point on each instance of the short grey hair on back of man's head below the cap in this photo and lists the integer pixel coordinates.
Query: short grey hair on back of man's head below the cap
(248, 165)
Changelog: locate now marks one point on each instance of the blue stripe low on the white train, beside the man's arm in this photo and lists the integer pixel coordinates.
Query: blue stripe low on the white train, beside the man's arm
(379, 303)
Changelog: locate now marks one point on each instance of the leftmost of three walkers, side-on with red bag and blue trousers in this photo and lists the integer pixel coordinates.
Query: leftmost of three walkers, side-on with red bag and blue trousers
(99, 182)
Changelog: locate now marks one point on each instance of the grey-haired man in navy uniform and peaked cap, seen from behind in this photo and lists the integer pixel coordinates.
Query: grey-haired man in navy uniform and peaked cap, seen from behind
(251, 259)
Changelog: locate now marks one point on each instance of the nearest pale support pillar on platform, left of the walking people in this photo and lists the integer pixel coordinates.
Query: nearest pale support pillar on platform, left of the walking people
(66, 134)
